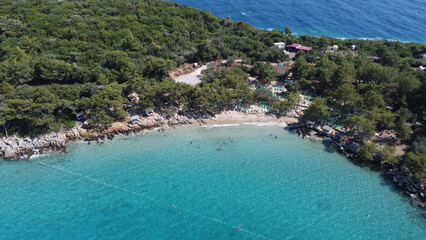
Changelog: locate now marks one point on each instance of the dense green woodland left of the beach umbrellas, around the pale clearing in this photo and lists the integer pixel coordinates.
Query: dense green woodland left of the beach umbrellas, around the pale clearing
(87, 55)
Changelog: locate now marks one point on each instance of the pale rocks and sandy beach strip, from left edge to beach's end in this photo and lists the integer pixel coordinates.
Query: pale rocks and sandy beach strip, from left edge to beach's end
(19, 148)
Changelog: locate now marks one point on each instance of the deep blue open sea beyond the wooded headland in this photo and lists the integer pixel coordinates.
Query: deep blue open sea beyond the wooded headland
(402, 20)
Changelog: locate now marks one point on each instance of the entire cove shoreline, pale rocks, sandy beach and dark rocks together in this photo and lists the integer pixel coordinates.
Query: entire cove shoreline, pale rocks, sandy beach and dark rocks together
(17, 148)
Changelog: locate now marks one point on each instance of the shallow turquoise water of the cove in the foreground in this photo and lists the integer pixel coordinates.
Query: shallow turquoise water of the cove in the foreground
(288, 188)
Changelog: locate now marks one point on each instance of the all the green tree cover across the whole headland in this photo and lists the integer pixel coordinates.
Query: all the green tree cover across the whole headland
(58, 58)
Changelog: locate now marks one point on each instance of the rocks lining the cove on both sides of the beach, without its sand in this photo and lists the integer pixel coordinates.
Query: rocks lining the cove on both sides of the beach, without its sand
(16, 148)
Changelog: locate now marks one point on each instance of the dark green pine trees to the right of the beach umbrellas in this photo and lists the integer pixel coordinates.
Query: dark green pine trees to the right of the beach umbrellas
(370, 94)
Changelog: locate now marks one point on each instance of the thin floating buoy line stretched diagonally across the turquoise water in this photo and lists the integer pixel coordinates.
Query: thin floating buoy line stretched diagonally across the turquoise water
(155, 200)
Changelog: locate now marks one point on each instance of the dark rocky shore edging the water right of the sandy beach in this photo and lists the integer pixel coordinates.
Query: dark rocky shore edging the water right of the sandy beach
(396, 173)
